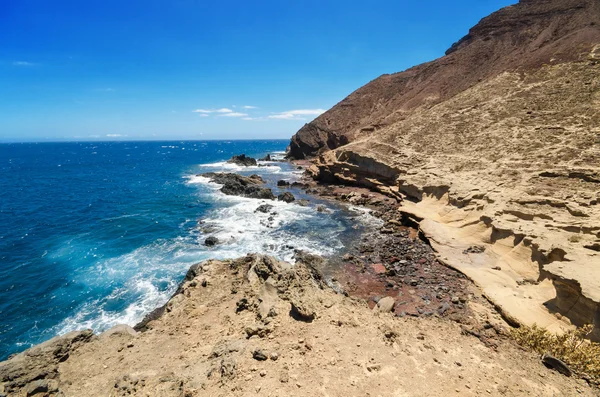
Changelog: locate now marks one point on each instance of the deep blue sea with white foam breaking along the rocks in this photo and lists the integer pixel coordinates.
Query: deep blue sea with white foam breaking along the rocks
(97, 234)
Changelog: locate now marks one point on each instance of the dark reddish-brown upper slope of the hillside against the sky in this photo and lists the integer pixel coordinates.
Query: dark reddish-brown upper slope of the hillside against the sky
(517, 38)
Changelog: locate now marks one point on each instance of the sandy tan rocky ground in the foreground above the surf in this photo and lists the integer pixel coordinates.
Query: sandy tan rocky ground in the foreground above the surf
(257, 326)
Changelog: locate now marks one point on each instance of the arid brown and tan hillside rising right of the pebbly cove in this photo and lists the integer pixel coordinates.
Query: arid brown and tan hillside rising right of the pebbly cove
(495, 146)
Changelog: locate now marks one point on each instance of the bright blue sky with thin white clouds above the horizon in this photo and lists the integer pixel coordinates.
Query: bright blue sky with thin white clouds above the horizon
(190, 69)
